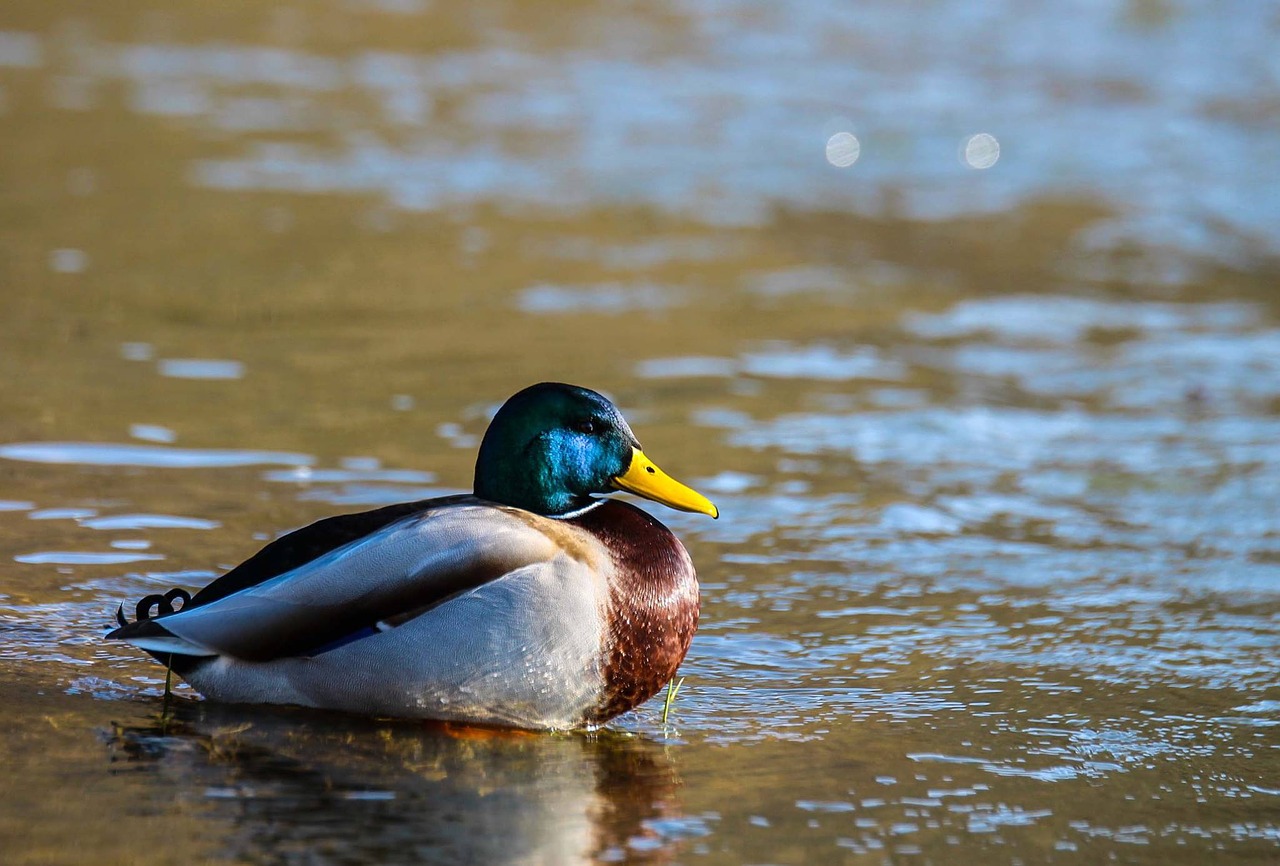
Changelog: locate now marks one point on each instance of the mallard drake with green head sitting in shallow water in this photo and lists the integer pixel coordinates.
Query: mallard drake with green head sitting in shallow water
(529, 603)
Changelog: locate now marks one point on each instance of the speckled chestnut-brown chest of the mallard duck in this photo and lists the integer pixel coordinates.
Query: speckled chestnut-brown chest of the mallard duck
(652, 611)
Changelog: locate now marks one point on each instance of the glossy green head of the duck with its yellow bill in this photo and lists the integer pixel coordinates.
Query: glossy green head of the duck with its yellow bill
(554, 447)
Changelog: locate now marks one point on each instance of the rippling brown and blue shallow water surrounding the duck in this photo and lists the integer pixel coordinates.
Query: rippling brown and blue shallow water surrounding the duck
(998, 578)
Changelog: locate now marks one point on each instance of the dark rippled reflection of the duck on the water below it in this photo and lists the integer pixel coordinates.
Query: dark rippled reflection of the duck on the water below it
(307, 787)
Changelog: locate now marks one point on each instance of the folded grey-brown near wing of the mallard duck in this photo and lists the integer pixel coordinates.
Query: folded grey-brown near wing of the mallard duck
(400, 570)
